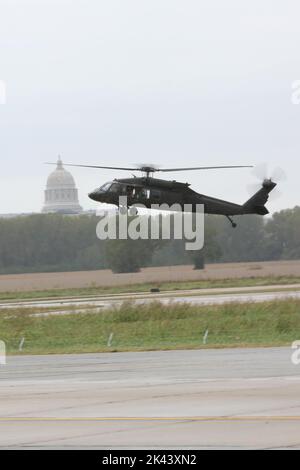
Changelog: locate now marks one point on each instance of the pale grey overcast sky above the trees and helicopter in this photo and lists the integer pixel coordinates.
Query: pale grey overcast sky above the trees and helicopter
(175, 82)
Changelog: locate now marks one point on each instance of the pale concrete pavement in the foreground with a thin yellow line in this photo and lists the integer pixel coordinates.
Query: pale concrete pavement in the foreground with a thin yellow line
(241, 398)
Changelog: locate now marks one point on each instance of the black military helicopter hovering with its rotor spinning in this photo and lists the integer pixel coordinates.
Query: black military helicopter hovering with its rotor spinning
(147, 191)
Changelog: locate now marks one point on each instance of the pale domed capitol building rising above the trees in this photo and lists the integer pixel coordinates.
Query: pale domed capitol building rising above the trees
(61, 194)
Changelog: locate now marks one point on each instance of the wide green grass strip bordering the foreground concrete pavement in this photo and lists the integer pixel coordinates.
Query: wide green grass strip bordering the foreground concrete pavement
(152, 327)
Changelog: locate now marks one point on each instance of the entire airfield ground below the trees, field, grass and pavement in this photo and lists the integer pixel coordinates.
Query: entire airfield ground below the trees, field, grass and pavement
(196, 397)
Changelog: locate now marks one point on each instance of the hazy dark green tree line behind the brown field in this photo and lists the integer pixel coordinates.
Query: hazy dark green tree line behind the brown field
(53, 242)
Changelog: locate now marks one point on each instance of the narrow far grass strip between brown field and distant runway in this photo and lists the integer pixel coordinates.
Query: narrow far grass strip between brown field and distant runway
(164, 286)
